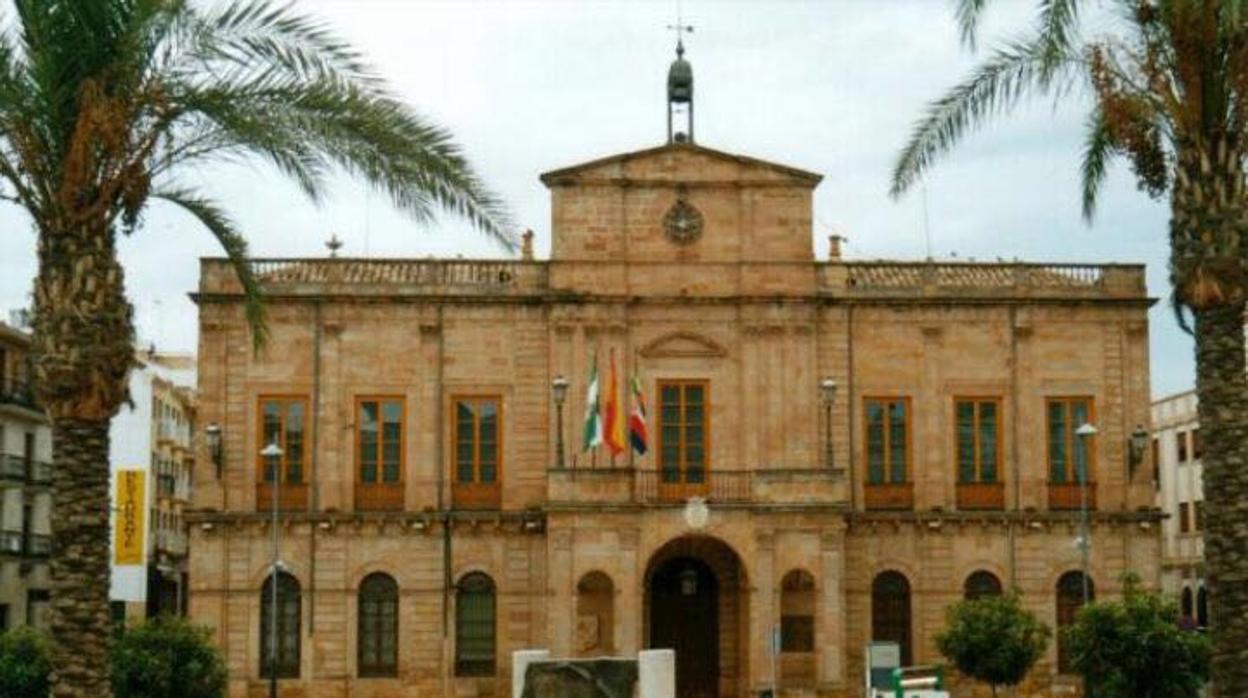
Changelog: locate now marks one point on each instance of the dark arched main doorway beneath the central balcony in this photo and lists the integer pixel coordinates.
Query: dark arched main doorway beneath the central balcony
(697, 605)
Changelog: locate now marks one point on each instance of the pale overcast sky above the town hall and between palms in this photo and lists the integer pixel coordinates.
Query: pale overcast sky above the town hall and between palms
(529, 87)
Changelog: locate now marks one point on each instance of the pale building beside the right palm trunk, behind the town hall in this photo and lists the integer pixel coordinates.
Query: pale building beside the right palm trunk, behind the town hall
(1181, 495)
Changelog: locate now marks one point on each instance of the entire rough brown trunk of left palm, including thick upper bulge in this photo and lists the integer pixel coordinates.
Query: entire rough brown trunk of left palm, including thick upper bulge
(83, 350)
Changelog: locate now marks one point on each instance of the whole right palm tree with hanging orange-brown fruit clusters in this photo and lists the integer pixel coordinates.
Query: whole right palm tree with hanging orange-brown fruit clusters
(1168, 84)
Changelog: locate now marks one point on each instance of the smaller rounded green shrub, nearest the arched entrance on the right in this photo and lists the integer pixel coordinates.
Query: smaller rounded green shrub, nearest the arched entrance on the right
(993, 640)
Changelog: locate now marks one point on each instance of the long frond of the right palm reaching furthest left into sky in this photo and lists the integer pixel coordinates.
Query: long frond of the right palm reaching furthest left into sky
(1013, 72)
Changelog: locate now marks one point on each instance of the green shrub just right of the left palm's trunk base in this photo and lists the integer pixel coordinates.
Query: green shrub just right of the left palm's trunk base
(168, 659)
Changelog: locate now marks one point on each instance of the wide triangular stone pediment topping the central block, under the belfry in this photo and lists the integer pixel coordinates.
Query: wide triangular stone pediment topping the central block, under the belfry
(682, 163)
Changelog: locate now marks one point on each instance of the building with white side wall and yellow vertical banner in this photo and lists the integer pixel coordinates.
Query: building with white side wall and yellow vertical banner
(154, 436)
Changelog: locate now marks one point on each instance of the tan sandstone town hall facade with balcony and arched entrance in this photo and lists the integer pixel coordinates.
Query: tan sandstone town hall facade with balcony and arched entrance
(440, 514)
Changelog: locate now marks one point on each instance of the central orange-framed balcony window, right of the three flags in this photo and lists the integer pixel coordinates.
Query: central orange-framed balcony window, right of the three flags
(683, 433)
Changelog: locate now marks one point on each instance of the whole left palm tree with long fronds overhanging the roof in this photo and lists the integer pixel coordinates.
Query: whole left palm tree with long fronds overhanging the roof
(103, 104)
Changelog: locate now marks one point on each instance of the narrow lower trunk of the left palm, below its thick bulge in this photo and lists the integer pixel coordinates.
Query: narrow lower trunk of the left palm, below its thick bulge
(80, 566)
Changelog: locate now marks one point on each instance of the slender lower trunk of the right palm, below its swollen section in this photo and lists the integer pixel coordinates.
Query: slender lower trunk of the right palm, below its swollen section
(1222, 389)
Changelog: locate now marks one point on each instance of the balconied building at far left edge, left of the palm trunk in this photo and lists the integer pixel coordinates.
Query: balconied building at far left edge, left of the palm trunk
(26, 488)
